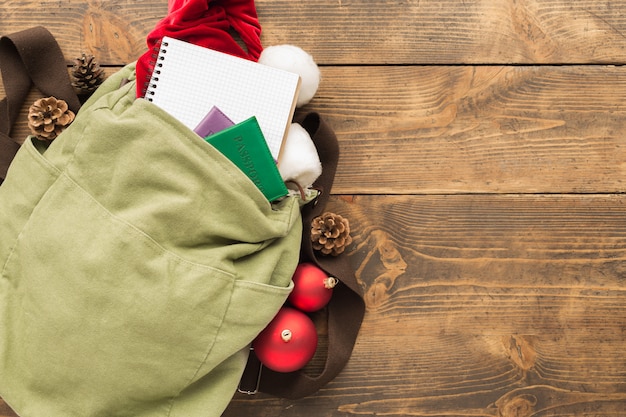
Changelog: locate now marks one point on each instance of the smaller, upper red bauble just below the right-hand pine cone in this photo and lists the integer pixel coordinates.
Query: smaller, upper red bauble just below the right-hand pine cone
(312, 288)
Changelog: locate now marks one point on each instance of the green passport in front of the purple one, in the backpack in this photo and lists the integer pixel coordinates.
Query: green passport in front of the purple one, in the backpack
(245, 145)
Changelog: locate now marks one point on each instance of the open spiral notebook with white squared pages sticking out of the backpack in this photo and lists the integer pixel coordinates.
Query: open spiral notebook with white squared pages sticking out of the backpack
(188, 80)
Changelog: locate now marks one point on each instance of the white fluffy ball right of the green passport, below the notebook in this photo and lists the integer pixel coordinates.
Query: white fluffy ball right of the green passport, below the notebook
(299, 160)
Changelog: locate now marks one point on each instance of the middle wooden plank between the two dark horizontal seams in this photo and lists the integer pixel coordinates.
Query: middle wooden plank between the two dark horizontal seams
(473, 129)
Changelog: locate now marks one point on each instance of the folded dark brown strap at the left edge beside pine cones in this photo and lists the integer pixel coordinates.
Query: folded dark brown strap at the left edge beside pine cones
(27, 57)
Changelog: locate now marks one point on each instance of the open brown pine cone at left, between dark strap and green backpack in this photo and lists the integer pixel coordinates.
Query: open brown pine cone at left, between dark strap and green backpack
(48, 117)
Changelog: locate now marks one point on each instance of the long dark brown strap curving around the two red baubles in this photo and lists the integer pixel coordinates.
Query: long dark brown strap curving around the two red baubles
(346, 307)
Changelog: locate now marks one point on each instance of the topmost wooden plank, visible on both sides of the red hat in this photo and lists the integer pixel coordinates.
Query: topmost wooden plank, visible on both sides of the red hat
(361, 31)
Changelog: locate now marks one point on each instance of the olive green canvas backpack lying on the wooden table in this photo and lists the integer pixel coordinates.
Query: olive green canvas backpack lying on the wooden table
(138, 264)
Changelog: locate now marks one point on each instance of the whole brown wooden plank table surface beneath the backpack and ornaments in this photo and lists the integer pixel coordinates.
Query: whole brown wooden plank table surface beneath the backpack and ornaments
(483, 166)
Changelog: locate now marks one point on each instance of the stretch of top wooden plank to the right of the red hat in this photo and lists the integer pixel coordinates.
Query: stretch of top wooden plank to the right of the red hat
(451, 31)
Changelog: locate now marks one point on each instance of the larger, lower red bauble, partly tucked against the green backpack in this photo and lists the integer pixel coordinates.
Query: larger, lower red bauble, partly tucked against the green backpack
(288, 342)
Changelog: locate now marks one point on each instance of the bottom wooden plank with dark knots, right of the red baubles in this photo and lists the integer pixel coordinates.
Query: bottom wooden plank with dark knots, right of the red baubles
(508, 306)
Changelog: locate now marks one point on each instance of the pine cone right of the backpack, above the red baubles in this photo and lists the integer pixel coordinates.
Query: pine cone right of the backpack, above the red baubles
(330, 233)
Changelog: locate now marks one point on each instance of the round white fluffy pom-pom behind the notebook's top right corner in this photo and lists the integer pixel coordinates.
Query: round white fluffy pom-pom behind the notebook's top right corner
(294, 59)
